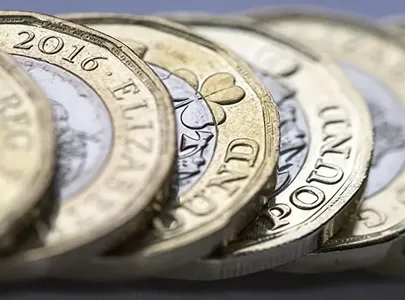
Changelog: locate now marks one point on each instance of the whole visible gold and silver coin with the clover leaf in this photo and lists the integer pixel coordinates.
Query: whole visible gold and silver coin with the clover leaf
(228, 140)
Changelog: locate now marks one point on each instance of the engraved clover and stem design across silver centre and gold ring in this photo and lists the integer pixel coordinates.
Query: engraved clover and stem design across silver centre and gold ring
(216, 91)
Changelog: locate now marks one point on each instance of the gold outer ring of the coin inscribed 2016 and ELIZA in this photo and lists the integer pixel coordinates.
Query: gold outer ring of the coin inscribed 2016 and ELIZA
(128, 189)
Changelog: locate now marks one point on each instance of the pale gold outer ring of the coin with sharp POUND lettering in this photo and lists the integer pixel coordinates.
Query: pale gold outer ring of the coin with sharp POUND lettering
(293, 224)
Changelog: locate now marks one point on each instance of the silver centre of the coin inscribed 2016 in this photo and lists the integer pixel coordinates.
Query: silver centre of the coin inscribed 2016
(83, 125)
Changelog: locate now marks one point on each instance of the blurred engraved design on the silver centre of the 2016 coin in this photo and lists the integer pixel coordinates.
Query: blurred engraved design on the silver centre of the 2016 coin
(72, 146)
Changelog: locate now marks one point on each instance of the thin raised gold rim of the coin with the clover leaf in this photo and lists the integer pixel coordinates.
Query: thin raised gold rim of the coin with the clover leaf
(230, 220)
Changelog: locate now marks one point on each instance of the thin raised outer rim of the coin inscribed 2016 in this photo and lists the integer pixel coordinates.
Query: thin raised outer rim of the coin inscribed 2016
(164, 164)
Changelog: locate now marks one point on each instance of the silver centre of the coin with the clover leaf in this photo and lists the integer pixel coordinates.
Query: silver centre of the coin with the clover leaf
(196, 130)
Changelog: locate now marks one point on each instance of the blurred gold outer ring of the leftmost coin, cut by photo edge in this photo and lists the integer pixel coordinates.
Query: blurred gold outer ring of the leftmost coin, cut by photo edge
(27, 151)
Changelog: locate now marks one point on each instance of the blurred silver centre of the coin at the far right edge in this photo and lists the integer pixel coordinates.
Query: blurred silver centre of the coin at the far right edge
(389, 129)
